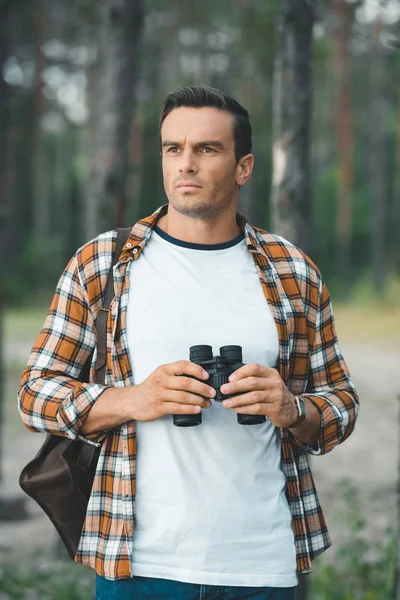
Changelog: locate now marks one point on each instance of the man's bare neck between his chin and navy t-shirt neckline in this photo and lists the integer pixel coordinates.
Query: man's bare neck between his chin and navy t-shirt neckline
(222, 228)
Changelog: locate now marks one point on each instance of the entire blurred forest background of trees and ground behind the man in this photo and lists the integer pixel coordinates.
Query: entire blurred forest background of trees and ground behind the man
(81, 87)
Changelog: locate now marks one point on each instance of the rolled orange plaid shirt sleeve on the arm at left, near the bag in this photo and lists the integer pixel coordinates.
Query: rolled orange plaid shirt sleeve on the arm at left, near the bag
(51, 398)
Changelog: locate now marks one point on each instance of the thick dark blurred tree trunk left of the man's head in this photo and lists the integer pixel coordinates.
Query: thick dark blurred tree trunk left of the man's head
(119, 33)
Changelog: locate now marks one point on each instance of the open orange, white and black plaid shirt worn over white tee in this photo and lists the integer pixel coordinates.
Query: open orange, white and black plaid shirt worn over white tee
(310, 363)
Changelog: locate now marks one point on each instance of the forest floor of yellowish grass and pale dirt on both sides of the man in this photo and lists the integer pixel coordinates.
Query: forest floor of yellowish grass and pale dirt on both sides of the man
(367, 460)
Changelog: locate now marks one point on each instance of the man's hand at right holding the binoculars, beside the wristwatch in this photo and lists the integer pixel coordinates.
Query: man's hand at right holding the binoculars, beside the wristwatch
(262, 392)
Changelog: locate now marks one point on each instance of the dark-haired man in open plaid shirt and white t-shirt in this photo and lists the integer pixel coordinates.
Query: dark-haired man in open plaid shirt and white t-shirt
(221, 510)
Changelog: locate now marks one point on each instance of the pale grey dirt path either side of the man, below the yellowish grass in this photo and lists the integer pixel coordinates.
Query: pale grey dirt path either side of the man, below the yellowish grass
(368, 459)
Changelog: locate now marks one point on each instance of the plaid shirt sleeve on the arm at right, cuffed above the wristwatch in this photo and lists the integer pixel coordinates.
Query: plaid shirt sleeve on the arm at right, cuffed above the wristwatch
(329, 386)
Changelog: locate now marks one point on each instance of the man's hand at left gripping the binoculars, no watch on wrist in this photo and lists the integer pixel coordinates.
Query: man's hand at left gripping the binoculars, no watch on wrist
(169, 391)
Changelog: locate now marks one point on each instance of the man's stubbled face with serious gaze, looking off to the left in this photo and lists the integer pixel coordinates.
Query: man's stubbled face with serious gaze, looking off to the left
(198, 148)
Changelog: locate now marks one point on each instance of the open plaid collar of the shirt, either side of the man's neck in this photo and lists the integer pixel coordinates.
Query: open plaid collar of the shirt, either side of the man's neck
(143, 229)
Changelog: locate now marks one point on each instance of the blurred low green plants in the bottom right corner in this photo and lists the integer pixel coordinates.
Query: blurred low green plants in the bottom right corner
(362, 569)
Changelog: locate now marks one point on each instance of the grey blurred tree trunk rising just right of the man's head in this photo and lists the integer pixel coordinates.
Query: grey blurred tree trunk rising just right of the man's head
(291, 189)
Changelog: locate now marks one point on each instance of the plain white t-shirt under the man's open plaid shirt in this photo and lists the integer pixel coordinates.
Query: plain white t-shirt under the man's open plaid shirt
(210, 500)
